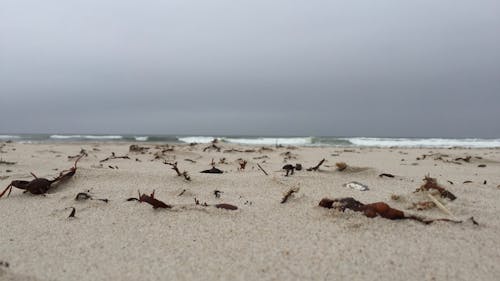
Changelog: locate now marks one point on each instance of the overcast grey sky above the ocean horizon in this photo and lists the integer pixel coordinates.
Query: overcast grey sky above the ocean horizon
(257, 67)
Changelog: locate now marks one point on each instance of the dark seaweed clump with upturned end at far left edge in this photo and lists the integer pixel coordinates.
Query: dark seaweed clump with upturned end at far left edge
(38, 185)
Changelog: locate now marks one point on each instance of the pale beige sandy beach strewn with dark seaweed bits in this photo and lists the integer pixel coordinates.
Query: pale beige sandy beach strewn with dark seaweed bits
(263, 239)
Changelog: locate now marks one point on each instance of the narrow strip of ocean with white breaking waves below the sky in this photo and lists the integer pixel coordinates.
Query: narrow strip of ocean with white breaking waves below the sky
(252, 140)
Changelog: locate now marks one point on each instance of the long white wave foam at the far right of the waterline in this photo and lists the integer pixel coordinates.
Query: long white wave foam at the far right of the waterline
(433, 142)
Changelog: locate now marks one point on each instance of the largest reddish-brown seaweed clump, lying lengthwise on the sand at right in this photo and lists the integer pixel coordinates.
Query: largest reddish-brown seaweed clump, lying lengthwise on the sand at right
(374, 209)
